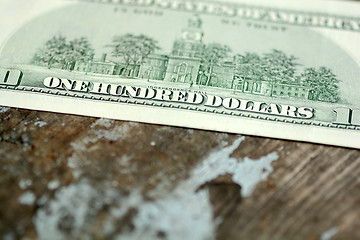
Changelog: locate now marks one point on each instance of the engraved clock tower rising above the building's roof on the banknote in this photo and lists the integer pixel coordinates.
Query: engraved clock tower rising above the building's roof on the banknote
(190, 42)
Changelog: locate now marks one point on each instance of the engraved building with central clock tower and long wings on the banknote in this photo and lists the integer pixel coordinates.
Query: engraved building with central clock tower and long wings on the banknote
(184, 63)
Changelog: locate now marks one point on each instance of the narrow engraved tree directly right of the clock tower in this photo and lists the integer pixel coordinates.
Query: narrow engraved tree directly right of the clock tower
(212, 55)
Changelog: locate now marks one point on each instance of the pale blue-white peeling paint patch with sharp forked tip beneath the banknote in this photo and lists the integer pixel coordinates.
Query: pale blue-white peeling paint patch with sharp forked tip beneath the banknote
(187, 214)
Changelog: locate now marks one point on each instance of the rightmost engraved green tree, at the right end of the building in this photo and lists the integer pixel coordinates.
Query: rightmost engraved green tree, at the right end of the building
(323, 84)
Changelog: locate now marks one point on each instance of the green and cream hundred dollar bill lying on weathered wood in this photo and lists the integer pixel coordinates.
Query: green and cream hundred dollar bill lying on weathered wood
(288, 70)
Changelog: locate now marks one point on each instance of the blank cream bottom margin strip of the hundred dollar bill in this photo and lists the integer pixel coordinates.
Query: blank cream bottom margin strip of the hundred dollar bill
(195, 120)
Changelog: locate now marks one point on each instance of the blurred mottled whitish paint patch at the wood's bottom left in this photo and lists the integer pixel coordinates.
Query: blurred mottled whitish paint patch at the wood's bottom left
(73, 205)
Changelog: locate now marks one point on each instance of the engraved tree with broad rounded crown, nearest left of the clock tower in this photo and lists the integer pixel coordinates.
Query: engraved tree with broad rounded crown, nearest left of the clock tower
(133, 48)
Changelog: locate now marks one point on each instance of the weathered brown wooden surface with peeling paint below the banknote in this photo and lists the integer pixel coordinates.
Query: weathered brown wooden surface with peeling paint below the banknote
(54, 165)
